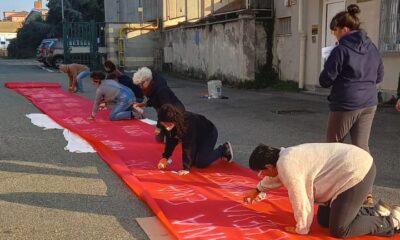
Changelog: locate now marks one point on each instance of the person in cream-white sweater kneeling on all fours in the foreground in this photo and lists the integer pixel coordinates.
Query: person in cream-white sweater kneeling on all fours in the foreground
(337, 176)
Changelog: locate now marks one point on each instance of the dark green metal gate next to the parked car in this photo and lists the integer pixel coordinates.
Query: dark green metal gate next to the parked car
(84, 43)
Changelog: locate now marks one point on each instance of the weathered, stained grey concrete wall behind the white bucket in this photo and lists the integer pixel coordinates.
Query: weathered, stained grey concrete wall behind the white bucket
(225, 51)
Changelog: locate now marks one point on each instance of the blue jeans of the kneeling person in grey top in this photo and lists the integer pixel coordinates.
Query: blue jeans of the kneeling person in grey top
(123, 107)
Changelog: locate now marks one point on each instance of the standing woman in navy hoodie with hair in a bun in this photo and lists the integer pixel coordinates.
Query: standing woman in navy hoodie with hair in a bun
(353, 70)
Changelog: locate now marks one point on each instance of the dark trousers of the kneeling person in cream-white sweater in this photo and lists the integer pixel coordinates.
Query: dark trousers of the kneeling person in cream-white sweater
(347, 218)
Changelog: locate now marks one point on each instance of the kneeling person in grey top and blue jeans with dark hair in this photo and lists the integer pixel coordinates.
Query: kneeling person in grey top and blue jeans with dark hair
(110, 92)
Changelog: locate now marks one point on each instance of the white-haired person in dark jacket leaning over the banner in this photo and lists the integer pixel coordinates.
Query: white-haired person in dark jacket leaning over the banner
(158, 93)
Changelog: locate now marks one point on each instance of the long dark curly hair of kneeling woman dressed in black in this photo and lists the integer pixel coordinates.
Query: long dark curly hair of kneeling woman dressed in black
(170, 113)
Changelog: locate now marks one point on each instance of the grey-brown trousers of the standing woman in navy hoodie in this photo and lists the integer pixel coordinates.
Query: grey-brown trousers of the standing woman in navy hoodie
(357, 122)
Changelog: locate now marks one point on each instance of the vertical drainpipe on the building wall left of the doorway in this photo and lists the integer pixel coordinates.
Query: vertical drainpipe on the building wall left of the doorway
(303, 37)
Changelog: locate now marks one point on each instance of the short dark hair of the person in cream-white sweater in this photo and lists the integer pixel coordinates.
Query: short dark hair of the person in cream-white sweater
(263, 155)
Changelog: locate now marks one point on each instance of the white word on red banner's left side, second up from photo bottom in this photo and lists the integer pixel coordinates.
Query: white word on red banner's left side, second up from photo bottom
(182, 195)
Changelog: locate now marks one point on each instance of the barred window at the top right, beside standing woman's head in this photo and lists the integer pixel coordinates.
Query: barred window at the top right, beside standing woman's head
(389, 36)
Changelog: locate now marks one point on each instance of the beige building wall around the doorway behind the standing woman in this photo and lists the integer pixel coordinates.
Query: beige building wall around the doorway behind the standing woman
(286, 47)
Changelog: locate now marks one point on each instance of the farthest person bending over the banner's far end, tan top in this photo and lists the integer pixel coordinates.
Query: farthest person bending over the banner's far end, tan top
(76, 73)
